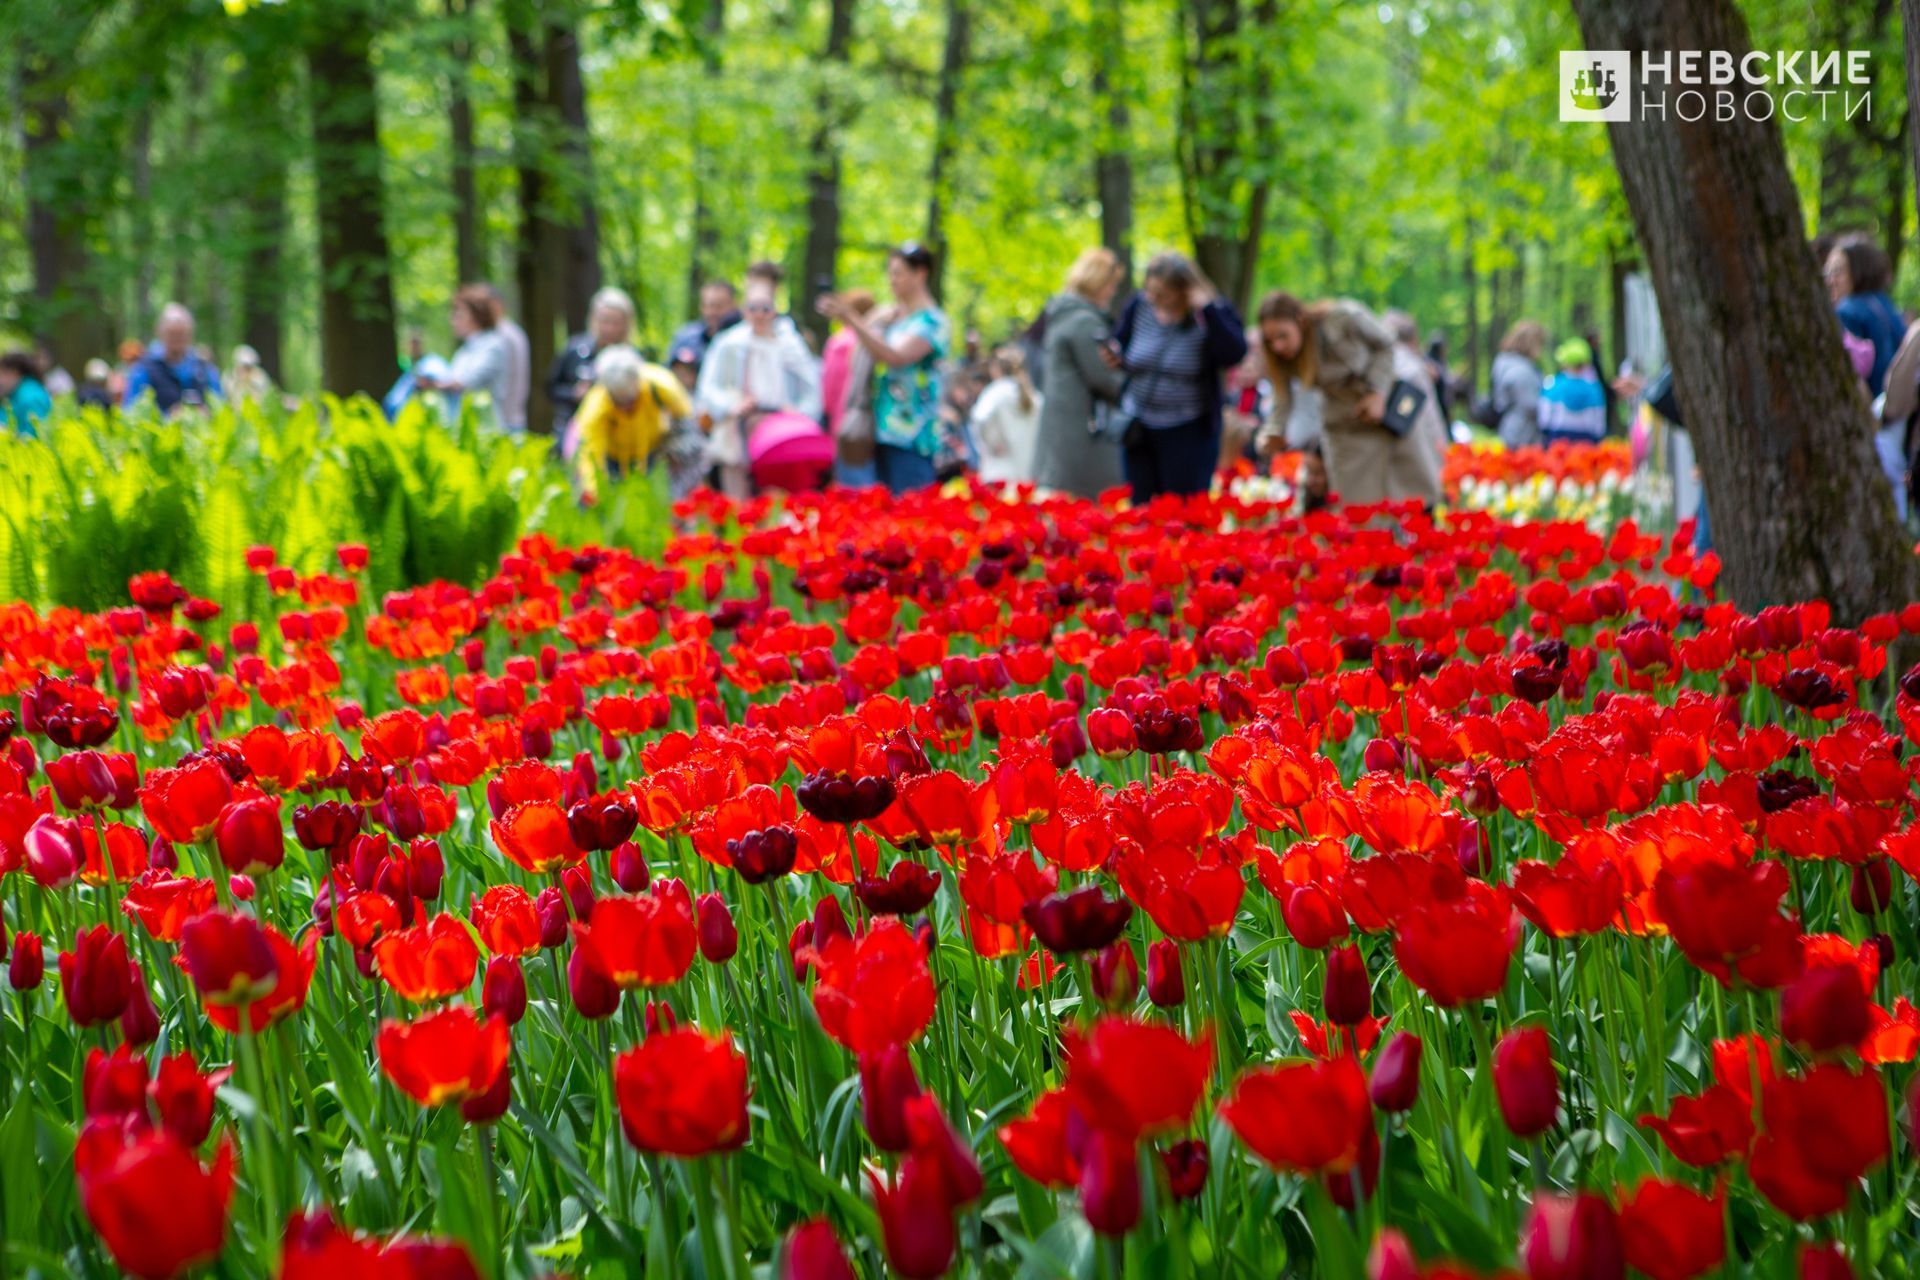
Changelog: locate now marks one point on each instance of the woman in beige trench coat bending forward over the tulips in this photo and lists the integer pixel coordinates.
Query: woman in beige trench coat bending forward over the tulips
(1343, 350)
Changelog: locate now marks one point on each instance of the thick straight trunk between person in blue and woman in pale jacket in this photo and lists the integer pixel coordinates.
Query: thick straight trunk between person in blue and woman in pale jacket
(350, 204)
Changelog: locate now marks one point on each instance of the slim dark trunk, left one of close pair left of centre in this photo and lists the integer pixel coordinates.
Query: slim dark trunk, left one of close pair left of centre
(537, 249)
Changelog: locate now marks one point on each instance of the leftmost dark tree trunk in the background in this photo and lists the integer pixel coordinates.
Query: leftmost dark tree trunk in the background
(66, 300)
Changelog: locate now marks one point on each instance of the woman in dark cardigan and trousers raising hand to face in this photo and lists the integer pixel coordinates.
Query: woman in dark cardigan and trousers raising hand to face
(1176, 341)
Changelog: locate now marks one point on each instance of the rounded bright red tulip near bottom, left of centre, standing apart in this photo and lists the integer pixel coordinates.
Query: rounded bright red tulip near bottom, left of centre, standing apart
(683, 1093)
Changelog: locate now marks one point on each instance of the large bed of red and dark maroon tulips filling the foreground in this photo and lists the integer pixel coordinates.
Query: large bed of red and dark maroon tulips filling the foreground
(944, 886)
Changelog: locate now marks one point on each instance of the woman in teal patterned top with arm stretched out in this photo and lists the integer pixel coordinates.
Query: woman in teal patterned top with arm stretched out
(907, 343)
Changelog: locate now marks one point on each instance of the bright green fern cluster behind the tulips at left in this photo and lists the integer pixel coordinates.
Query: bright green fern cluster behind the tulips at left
(105, 496)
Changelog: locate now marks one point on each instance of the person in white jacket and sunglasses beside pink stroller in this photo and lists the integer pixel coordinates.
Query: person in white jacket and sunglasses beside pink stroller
(754, 369)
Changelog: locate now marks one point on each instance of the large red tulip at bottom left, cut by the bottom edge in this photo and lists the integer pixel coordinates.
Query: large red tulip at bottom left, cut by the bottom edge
(158, 1210)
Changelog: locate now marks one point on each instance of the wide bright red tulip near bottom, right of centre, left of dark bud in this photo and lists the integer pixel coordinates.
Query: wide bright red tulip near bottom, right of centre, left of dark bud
(1307, 1118)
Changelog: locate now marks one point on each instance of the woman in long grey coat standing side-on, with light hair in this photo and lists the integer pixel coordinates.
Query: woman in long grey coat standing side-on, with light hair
(1070, 458)
